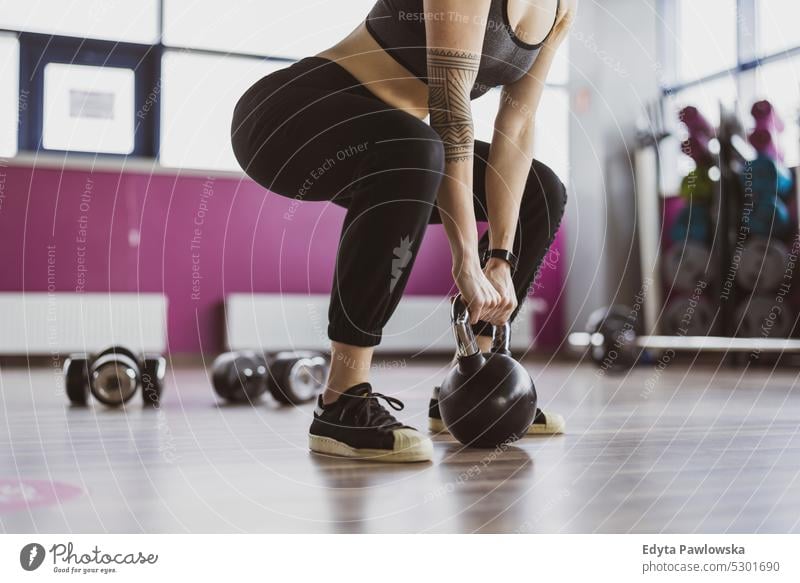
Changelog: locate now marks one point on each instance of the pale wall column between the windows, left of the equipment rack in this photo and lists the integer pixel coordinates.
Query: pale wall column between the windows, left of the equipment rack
(614, 73)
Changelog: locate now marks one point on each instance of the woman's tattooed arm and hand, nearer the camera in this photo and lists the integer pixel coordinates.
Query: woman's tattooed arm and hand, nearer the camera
(455, 30)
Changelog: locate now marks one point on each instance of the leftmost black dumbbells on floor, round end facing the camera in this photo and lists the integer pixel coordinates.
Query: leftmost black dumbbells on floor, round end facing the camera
(113, 376)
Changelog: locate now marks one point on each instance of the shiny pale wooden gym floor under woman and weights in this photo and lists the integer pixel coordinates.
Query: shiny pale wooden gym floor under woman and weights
(700, 450)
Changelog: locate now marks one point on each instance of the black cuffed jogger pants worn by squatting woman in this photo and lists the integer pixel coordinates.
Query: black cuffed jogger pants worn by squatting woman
(312, 132)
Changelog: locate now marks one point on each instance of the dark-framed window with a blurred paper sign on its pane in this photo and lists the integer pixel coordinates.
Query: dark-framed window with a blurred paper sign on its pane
(87, 96)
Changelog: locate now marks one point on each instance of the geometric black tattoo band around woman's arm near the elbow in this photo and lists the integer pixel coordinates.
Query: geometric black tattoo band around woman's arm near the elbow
(451, 75)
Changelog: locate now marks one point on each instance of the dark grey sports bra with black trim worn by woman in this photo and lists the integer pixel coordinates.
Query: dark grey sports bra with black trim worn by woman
(399, 27)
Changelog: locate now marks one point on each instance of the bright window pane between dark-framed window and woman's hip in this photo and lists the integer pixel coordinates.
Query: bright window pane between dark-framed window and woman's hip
(198, 97)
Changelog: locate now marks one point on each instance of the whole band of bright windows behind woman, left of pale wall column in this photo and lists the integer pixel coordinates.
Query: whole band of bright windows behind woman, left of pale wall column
(161, 77)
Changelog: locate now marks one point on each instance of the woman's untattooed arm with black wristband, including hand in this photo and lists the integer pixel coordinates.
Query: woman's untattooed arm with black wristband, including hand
(511, 154)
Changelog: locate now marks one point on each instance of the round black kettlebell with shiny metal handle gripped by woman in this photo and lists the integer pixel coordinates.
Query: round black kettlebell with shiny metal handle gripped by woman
(485, 400)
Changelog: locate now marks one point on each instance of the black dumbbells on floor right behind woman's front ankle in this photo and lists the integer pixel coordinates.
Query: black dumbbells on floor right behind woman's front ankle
(292, 377)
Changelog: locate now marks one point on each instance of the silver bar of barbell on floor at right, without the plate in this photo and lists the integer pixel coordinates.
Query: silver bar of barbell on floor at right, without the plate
(707, 343)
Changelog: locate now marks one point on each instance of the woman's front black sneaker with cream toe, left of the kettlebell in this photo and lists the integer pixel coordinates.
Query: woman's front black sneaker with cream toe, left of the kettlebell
(358, 426)
